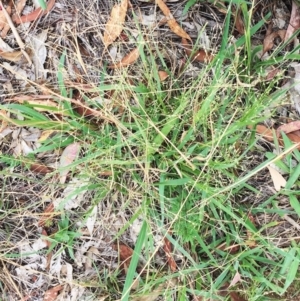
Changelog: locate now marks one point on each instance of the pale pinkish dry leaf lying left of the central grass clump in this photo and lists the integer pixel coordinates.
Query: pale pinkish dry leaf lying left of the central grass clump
(68, 156)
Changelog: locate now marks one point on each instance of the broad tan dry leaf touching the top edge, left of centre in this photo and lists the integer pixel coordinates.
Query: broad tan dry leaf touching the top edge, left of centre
(114, 26)
